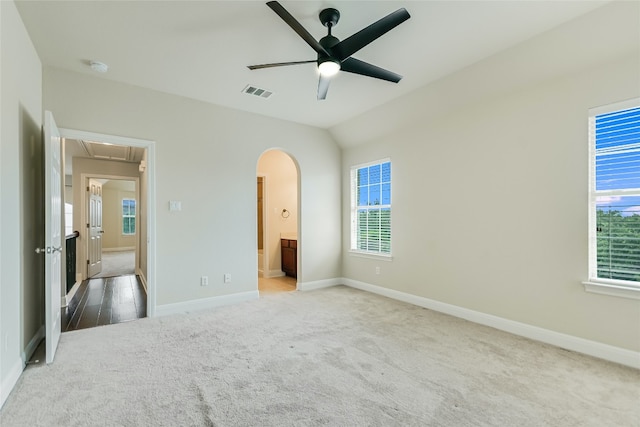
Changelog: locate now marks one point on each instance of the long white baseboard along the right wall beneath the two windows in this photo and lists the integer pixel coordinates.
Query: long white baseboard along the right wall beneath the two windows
(569, 342)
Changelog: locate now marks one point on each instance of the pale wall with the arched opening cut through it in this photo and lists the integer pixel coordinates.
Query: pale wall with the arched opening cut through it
(206, 157)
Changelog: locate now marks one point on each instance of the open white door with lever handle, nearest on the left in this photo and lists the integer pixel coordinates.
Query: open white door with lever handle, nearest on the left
(53, 235)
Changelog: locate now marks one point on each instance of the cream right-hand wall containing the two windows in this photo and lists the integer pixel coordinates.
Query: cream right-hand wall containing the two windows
(490, 196)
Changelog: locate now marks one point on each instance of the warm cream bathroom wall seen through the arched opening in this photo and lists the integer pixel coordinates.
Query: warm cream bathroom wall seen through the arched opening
(281, 188)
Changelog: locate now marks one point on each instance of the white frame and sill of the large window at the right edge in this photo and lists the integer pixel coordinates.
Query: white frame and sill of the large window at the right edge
(595, 284)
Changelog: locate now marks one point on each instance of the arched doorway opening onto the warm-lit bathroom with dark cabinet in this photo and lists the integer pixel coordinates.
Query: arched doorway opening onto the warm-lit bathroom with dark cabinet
(277, 201)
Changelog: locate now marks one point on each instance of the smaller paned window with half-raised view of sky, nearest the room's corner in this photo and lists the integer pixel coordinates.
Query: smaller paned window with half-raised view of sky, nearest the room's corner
(371, 208)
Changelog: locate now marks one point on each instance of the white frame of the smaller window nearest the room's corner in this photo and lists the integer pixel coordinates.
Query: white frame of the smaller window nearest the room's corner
(354, 208)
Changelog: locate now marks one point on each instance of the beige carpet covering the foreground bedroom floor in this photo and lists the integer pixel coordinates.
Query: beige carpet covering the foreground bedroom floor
(337, 356)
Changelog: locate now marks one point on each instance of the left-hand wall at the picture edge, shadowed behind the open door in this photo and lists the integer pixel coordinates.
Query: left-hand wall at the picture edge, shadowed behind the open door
(20, 144)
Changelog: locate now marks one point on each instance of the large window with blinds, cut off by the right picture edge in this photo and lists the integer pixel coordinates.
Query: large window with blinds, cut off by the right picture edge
(614, 202)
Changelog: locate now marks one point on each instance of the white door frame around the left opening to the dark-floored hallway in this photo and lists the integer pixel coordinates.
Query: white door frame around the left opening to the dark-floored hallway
(149, 145)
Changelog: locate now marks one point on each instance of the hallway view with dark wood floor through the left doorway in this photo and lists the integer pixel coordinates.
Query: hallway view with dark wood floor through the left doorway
(109, 289)
